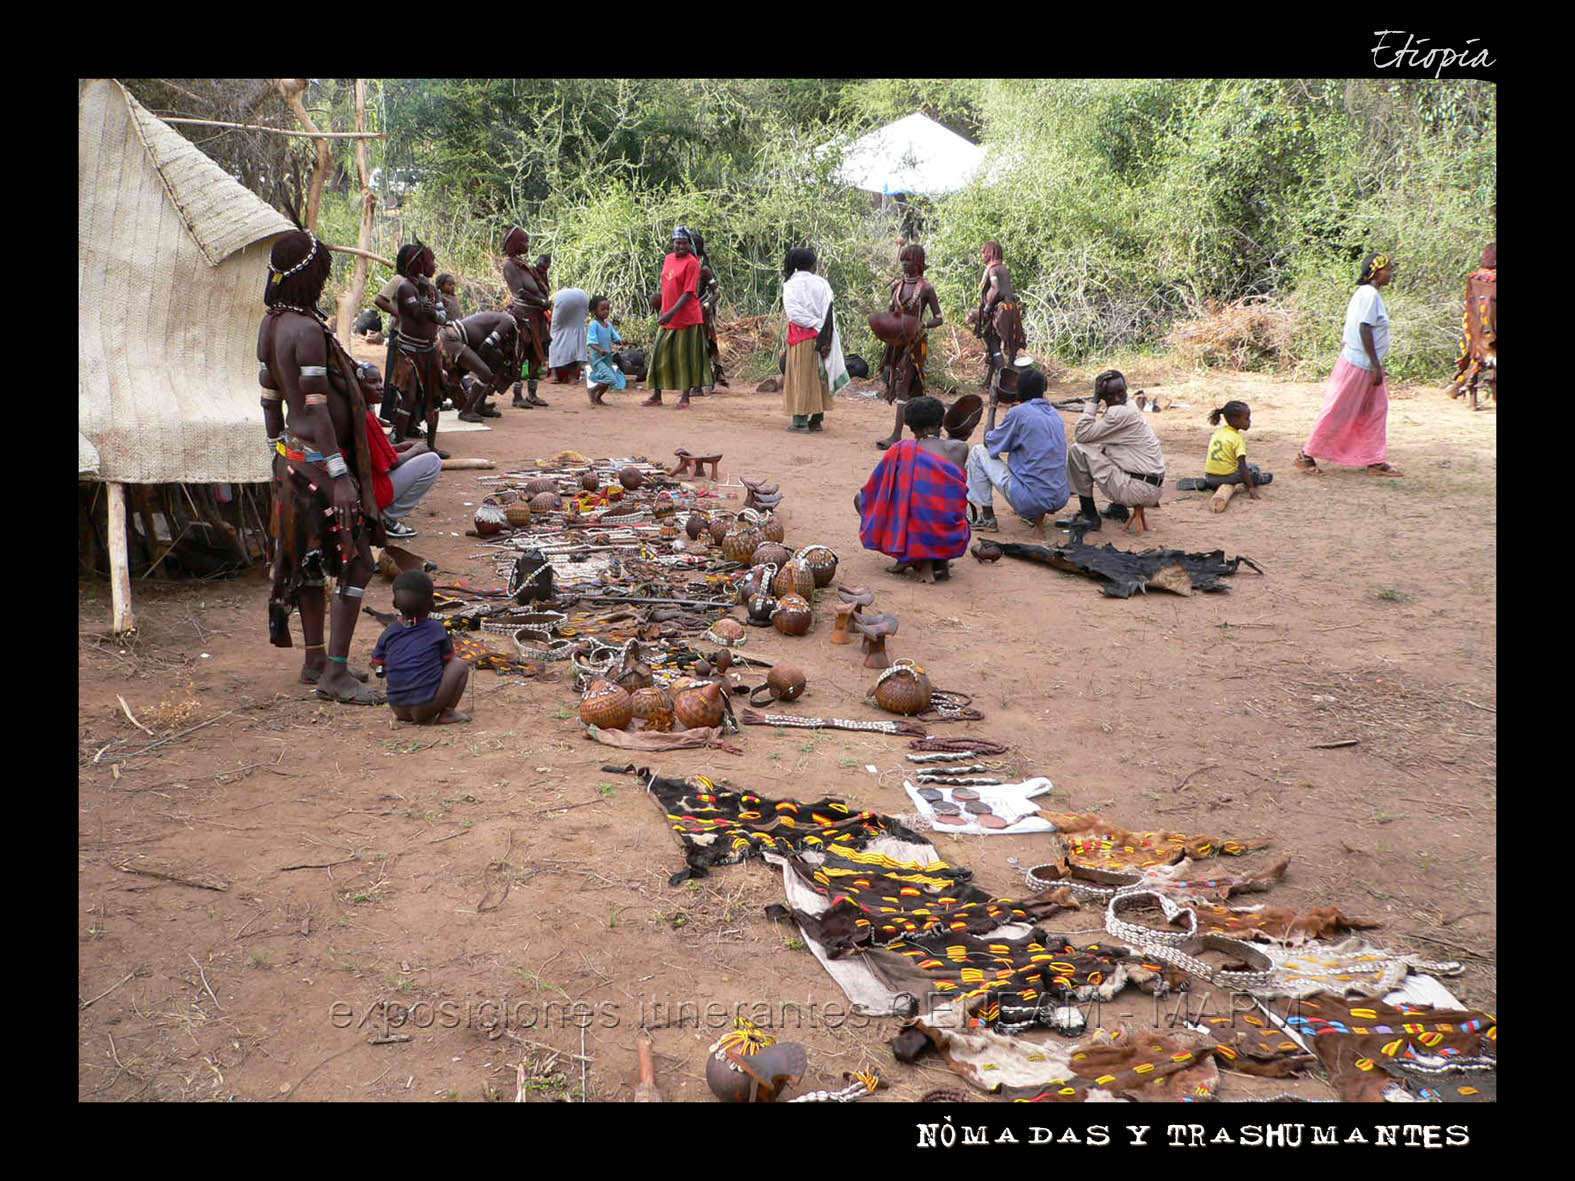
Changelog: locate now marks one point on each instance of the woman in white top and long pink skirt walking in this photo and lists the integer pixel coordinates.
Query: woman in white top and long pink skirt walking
(1354, 426)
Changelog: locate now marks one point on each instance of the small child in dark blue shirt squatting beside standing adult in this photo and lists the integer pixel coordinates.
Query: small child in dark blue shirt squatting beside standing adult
(417, 656)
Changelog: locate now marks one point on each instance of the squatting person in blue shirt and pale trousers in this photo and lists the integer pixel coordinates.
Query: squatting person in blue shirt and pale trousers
(1034, 481)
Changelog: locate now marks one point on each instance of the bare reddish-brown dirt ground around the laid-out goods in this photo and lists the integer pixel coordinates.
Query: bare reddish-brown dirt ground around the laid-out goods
(384, 894)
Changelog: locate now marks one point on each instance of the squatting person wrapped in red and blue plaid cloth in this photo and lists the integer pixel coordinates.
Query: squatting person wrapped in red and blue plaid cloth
(914, 508)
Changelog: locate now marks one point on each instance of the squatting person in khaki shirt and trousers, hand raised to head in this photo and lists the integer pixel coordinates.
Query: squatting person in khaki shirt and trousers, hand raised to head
(1116, 453)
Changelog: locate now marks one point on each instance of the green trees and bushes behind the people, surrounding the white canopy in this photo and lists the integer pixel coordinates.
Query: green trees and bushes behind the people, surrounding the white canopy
(1124, 205)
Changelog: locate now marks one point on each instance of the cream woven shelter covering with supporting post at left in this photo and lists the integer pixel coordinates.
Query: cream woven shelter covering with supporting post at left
(172, 256)
